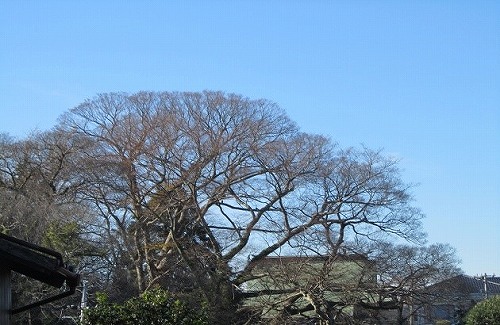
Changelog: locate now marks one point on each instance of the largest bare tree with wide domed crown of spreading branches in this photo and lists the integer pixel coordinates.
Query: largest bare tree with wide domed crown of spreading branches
(237, 170)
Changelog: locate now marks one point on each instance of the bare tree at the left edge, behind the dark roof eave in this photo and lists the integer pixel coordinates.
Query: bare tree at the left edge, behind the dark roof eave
(37, 204)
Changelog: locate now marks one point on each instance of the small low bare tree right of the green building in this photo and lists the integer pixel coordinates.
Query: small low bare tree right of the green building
(404, 272)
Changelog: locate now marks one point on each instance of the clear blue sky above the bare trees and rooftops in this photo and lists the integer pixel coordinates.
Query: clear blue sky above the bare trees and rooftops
(420, 79)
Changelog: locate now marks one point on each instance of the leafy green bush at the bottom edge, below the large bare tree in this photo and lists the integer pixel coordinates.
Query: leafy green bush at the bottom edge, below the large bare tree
(154, 307)
